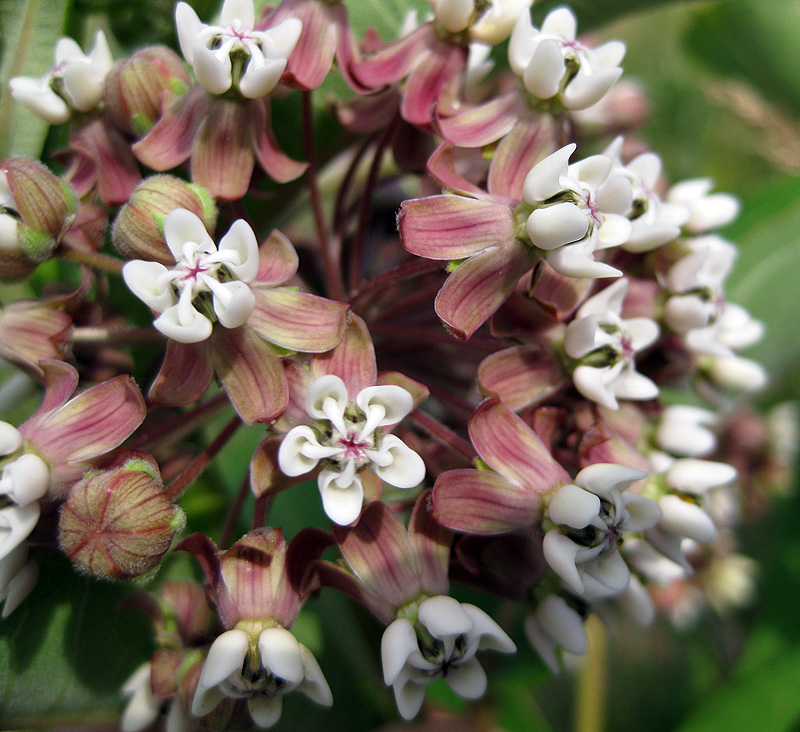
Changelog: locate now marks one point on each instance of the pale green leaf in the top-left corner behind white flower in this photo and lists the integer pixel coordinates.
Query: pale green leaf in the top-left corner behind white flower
(30, 29)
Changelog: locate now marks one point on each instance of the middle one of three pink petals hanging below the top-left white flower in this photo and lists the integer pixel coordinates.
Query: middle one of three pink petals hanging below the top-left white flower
(222, 158)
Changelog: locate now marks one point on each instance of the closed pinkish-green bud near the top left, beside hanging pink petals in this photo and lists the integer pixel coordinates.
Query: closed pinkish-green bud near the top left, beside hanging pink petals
(139, 89)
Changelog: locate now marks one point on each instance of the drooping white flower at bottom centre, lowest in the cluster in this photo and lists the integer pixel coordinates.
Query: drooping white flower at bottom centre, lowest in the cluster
(441, 644)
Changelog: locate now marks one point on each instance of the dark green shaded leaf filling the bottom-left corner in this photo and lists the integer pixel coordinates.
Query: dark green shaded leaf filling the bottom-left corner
(67, 649)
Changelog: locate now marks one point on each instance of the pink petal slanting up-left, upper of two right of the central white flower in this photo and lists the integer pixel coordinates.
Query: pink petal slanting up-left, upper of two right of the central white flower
(513, 449)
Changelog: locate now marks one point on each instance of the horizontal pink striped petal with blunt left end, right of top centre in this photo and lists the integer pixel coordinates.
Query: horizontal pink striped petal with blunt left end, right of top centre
(453, 227)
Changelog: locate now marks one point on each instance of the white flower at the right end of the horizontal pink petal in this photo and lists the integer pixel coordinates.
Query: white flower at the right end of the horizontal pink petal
(578, 209)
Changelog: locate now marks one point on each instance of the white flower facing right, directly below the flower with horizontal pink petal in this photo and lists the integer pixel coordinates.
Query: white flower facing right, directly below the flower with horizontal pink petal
(605, 346)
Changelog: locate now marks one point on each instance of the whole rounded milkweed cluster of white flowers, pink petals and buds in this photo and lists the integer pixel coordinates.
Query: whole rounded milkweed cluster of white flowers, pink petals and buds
(479, 399)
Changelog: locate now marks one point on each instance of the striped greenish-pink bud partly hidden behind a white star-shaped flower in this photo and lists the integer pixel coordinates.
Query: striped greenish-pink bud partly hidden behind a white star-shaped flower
(138, 230)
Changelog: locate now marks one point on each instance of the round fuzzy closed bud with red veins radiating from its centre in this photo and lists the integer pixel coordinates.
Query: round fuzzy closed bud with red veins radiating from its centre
(117, 524)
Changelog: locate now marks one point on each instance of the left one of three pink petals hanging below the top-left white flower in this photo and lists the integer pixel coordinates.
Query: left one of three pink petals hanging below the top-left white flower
(170, 142)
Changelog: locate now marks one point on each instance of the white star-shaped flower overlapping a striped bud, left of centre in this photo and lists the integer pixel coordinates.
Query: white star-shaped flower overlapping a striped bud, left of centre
(181, 294)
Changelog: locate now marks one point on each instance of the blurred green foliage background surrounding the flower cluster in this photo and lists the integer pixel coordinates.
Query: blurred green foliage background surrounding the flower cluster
(722, 79)
